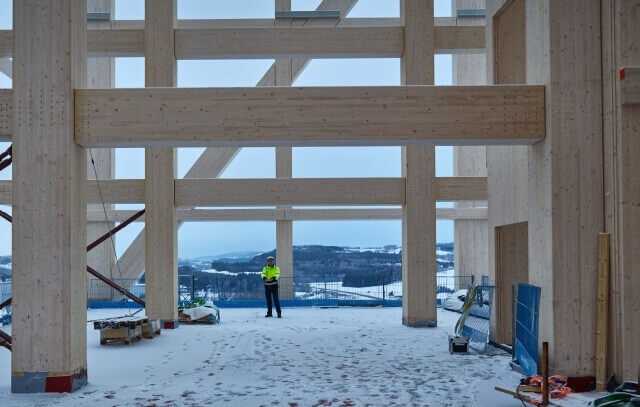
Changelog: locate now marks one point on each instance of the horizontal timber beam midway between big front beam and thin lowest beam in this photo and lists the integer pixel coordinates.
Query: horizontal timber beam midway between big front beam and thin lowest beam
(272, 192)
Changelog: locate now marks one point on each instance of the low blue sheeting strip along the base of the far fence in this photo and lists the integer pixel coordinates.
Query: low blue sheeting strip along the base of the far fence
(262, 304)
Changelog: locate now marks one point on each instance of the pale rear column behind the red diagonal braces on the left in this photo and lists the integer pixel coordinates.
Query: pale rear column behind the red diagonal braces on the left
(101, 74)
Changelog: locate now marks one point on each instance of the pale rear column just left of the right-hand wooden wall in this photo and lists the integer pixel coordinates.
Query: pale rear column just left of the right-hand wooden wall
(471, 235)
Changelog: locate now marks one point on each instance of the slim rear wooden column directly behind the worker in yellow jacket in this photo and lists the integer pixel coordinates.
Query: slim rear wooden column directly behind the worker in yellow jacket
(284, 228)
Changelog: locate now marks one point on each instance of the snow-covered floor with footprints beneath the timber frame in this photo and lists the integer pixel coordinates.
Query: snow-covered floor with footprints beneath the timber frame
(311, 357)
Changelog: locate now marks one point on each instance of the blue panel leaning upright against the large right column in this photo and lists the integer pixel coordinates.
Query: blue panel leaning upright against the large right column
(527, 330)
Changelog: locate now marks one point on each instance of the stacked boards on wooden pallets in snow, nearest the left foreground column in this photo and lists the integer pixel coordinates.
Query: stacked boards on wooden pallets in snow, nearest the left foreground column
(126, 330)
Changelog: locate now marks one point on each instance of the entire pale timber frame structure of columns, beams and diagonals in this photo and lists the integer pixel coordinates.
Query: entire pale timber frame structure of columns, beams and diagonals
(548, 135)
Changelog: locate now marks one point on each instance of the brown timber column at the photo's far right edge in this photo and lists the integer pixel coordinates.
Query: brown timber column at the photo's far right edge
(620, 32)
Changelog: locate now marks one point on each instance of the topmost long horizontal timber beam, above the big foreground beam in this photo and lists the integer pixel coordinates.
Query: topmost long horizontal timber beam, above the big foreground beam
(263, 38)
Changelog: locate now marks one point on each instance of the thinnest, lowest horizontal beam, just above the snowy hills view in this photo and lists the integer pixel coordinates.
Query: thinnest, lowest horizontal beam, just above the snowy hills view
(292, 214)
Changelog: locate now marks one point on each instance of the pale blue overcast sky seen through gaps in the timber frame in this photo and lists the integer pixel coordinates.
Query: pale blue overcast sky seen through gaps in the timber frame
(198, 239)
